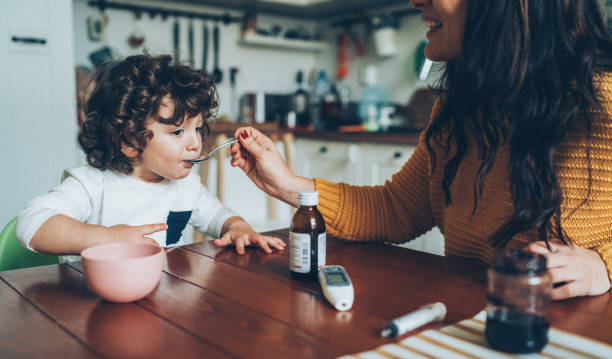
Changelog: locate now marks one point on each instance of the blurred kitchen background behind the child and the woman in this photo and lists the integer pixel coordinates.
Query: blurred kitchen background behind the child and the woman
(341, 85)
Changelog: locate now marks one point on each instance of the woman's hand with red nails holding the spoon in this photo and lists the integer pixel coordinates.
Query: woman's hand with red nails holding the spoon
(261, 161)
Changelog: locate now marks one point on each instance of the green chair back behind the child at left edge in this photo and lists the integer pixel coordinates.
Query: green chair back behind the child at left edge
(14, 256)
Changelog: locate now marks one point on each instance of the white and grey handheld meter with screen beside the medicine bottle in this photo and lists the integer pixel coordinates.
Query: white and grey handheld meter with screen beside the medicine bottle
(337, 287)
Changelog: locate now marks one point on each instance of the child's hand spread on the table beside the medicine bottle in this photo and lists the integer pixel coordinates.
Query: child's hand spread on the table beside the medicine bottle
(242, 235)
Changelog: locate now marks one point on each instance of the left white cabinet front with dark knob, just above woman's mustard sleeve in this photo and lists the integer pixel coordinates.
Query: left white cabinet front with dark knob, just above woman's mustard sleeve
(333, 161)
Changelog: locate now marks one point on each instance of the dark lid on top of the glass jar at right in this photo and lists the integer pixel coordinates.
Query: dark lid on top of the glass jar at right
(516, 261)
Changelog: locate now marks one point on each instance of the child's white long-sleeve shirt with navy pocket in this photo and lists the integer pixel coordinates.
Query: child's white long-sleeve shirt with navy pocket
(108, 198)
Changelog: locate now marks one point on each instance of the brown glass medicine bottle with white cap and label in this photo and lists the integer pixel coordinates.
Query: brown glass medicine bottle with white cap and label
(307, 238)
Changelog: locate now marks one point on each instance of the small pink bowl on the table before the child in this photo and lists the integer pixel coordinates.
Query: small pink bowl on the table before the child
(123, 272)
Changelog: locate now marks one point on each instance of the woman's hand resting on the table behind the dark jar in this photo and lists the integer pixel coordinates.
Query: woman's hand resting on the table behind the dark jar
(577, 271)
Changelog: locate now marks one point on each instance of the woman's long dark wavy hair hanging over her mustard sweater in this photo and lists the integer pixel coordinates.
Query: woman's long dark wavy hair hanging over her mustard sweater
(525, 78)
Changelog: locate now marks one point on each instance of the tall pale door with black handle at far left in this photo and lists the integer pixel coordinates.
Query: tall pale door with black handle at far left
(37, 99)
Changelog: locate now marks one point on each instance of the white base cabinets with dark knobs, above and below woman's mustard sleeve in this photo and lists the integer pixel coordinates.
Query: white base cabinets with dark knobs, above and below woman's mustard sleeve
(360, 164)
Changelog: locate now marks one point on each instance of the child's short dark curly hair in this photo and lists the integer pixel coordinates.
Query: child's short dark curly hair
(126, 97)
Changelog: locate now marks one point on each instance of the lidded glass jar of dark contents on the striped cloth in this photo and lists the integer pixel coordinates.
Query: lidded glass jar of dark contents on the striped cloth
(518, 296)
